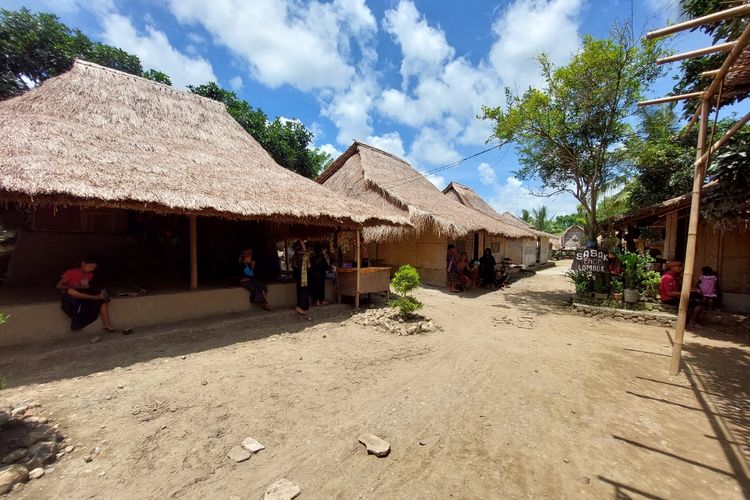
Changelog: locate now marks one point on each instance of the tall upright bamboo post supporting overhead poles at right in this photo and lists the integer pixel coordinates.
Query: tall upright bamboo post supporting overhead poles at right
(687, 276)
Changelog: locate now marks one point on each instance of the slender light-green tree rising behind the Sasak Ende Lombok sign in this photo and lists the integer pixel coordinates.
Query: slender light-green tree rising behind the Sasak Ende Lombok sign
(570, 133)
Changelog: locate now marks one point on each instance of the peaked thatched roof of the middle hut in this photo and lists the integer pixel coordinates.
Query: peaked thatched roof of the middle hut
(395, 187)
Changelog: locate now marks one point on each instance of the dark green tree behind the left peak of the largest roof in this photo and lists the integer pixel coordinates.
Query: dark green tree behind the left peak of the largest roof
(34, 47)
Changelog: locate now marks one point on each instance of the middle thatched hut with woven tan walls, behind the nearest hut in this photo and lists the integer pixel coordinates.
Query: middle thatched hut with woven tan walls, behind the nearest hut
(394, 187)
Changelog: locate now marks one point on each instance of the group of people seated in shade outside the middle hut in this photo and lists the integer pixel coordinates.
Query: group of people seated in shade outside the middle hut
(465, 274)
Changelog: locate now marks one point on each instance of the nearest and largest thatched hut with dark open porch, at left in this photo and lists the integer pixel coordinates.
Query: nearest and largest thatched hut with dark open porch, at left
(150, 178)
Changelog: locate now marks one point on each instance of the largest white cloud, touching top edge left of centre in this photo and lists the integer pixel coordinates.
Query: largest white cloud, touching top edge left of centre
(284, 41)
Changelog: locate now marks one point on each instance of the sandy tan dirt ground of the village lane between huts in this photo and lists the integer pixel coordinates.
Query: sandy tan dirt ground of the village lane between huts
(514, 398)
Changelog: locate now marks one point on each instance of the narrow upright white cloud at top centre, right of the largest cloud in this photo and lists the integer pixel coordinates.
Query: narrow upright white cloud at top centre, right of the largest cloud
(424, 48)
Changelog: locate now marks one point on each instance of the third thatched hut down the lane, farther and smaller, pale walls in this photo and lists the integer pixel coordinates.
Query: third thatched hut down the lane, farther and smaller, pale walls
(531, 249)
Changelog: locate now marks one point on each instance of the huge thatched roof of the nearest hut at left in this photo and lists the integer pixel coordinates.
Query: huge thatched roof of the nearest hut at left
(94, 136)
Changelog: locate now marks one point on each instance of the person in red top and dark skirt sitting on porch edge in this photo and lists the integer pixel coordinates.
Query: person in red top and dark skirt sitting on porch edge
(82, 300)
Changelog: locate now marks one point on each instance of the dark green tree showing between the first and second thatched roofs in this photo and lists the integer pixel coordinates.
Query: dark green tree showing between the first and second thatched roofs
(287, 141)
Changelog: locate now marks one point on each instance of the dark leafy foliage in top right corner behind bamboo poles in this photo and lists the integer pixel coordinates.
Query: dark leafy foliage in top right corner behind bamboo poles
(729, 29)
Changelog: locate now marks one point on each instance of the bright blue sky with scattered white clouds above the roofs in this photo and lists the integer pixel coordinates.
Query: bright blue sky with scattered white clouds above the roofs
(408, 76)
